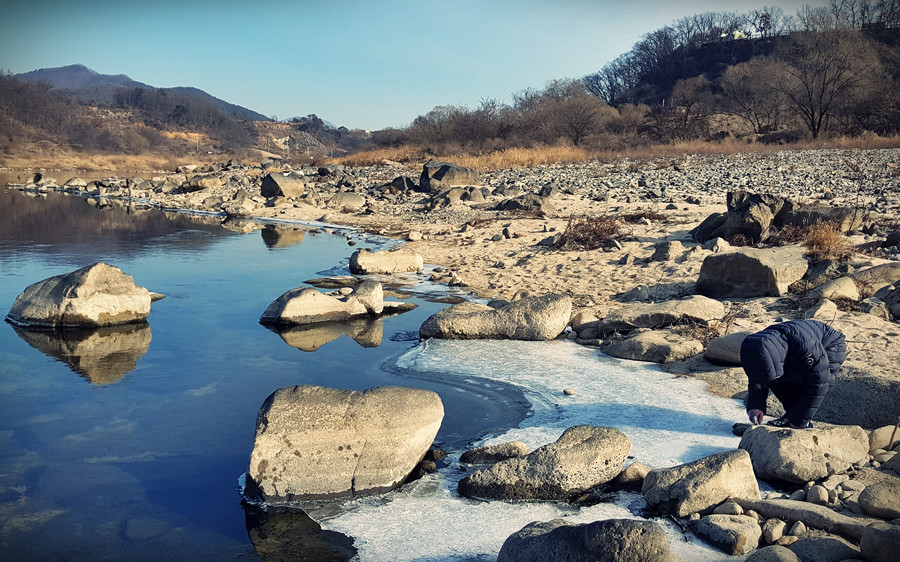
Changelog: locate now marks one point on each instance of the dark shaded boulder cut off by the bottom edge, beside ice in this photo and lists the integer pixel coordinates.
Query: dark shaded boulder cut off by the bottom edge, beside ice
(619, 540)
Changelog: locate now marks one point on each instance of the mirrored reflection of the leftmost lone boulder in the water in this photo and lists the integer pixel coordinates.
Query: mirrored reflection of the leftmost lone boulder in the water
(102, 355)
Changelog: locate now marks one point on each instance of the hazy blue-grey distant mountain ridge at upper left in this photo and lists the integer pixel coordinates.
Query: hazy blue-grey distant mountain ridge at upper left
(86, 85)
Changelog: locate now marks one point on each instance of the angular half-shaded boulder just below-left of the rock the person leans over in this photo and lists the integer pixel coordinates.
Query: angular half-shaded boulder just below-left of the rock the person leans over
(701, 485)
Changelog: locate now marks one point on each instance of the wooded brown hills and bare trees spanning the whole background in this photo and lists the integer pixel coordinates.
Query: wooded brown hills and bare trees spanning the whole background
(759, 77)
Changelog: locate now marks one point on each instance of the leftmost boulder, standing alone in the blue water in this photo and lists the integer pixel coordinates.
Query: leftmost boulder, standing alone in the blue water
(95, 295)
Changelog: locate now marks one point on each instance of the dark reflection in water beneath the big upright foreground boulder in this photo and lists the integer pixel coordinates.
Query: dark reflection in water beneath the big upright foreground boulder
(288, 535)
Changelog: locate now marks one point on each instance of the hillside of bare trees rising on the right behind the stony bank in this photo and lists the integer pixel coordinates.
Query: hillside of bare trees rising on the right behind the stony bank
(763, 75)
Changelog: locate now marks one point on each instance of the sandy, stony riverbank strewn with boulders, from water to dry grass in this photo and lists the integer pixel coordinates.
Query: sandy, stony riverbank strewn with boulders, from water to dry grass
(650, 290)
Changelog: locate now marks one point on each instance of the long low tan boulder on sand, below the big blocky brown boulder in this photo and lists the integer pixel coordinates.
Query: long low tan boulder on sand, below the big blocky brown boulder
(695, 309)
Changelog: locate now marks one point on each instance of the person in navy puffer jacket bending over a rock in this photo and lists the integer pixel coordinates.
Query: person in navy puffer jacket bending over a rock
(806, 352)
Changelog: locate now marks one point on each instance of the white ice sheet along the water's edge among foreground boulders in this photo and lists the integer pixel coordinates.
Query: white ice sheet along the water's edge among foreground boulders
(670, 420)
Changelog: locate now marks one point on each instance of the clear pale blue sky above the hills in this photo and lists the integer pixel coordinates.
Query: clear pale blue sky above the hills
(360, 64)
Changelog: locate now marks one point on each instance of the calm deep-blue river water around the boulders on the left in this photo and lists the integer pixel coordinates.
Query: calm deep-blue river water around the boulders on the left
(128, 443)
